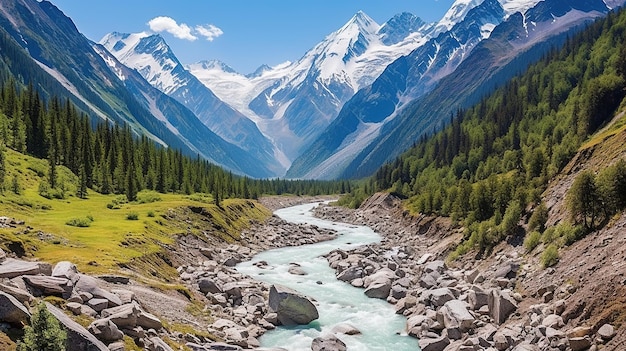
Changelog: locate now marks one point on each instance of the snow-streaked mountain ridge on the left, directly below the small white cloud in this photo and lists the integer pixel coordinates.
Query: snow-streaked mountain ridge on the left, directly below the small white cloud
(150, 55)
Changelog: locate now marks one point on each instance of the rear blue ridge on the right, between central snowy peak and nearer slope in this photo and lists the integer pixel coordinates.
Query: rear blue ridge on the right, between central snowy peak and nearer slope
(405, 79)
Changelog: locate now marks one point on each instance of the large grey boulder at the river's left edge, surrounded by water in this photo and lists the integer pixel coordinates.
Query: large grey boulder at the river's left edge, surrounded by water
(291, 307)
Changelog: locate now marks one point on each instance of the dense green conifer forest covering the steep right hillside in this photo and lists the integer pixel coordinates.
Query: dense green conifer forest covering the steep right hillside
(490, 165)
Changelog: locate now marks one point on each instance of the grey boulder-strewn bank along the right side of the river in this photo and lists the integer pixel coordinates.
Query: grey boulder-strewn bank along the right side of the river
(472, 305)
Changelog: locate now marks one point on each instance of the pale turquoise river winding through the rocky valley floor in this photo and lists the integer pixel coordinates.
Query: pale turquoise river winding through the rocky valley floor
(337, 302)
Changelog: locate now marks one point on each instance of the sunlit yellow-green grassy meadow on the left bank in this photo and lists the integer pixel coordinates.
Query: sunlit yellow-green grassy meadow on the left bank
(110, 240)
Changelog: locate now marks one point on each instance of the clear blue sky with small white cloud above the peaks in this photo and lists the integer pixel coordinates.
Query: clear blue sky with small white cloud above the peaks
(242, 33)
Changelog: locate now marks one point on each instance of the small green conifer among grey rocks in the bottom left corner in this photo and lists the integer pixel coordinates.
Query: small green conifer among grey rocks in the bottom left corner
(44, 332)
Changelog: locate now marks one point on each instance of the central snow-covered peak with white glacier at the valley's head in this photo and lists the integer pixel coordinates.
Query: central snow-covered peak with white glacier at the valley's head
(293, 102)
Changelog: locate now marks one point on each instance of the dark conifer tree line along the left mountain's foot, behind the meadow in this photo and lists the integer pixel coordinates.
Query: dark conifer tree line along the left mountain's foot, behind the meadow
(110, 159)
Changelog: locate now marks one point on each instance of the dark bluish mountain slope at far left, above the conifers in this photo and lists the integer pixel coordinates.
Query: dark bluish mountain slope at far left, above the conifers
(57, 47)
